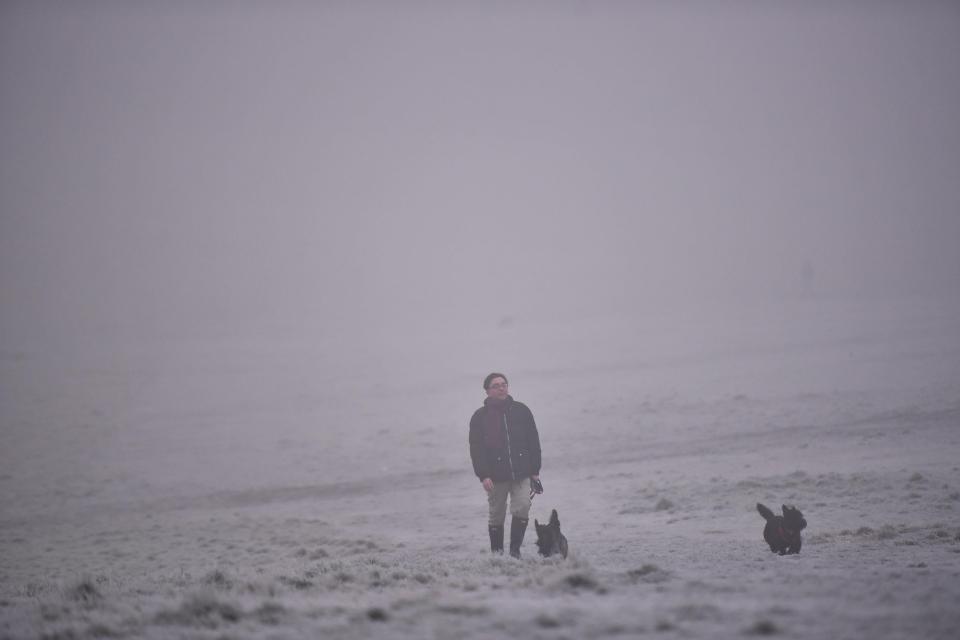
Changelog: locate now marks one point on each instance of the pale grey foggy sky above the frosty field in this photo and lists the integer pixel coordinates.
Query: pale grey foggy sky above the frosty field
(167, 168)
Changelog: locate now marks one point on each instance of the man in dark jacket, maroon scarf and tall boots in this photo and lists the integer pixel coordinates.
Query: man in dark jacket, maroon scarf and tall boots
(505, 449)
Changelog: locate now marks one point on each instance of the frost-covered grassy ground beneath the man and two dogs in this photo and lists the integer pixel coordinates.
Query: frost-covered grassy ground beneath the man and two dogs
(286, 489)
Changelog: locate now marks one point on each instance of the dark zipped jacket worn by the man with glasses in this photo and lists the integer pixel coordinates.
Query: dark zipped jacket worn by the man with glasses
(519, 458)
